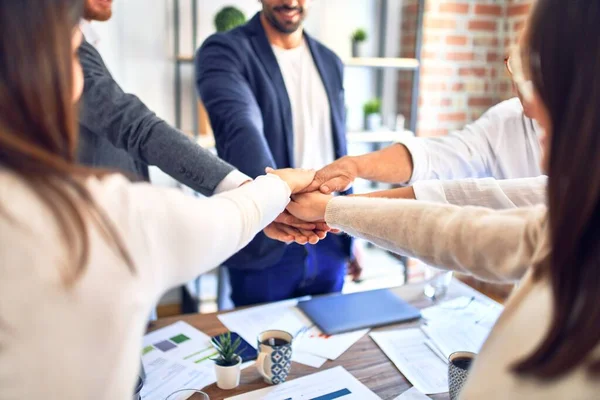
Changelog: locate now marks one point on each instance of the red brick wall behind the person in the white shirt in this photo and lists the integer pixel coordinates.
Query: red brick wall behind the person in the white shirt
(462, 70)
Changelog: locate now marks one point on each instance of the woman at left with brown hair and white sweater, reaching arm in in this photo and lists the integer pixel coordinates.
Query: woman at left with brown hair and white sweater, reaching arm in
(84, 254)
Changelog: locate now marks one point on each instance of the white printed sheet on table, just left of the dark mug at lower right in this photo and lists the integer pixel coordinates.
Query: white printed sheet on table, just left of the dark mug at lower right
(406, 348)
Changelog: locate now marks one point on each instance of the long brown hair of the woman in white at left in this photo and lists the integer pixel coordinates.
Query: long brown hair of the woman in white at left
(38, 121)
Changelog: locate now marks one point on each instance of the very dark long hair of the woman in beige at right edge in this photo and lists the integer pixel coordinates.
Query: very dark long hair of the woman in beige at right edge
(563, 56)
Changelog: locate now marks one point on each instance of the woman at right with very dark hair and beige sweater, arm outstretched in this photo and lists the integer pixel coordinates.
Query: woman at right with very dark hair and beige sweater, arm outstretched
(546, 344)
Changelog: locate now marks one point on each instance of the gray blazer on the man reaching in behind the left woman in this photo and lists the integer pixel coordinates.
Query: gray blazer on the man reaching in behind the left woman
(118, 131)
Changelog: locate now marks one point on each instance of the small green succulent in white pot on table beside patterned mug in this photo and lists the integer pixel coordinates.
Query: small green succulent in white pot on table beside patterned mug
(228, 362)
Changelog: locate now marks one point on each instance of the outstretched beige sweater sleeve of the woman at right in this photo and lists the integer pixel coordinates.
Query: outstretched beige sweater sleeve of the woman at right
(494, 245)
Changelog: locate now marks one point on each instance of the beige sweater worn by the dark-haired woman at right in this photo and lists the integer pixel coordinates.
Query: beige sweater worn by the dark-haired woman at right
(493, 245)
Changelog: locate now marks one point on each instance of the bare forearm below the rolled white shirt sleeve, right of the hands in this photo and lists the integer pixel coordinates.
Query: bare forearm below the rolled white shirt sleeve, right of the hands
(391, 165)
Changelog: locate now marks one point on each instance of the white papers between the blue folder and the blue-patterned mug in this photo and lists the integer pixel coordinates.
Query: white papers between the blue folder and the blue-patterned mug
(311, 346)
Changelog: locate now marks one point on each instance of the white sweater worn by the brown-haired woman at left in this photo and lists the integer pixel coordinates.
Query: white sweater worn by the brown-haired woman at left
(84, 343)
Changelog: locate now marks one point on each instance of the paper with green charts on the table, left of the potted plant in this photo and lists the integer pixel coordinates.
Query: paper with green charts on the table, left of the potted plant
(176, 357)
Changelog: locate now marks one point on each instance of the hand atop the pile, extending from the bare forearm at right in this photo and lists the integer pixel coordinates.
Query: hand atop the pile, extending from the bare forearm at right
(336, 177)
